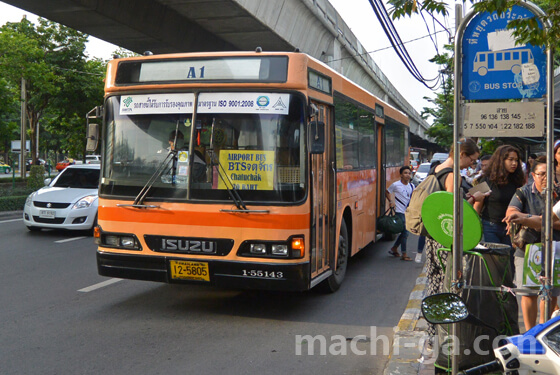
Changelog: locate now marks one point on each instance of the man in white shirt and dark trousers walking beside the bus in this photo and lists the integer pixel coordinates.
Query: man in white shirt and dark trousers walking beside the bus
(398, 195)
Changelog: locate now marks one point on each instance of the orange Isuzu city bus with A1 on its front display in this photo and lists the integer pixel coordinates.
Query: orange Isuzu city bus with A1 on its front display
(244, 170)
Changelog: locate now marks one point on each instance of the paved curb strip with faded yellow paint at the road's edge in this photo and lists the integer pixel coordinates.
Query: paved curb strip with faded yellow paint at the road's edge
(409, 335)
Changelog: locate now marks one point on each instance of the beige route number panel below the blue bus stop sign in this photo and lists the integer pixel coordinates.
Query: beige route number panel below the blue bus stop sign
(504, 119)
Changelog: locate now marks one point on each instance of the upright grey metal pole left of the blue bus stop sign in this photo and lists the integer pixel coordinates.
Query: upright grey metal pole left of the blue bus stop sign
(457, 194)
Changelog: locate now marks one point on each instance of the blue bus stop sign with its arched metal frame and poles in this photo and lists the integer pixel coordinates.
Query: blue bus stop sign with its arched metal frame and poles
(482, 89)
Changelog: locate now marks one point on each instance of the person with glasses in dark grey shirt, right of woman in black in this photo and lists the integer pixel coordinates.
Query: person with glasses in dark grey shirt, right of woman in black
(525, 210)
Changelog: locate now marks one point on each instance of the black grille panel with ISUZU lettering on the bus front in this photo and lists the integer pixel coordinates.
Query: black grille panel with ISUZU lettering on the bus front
(189, 245)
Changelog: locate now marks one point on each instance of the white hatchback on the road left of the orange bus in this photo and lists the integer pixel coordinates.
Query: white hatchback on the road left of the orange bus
(67, 202)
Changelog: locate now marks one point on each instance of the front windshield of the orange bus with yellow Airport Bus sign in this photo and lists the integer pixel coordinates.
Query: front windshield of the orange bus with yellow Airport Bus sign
(232, 144)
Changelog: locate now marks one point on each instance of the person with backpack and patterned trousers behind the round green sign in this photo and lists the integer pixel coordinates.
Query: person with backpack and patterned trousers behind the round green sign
(469, 152)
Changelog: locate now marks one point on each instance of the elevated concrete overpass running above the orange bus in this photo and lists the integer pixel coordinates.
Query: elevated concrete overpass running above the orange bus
(167, 26)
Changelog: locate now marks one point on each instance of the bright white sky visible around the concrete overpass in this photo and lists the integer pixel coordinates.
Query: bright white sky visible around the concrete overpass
(360, 17)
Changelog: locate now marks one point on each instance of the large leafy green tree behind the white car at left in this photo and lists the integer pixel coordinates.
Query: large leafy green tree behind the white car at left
(60, 82)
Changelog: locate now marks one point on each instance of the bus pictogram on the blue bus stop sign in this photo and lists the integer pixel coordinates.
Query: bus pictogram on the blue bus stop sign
(503, 60)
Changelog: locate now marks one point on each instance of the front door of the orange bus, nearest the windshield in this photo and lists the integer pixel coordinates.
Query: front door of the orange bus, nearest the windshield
(323, 195)
